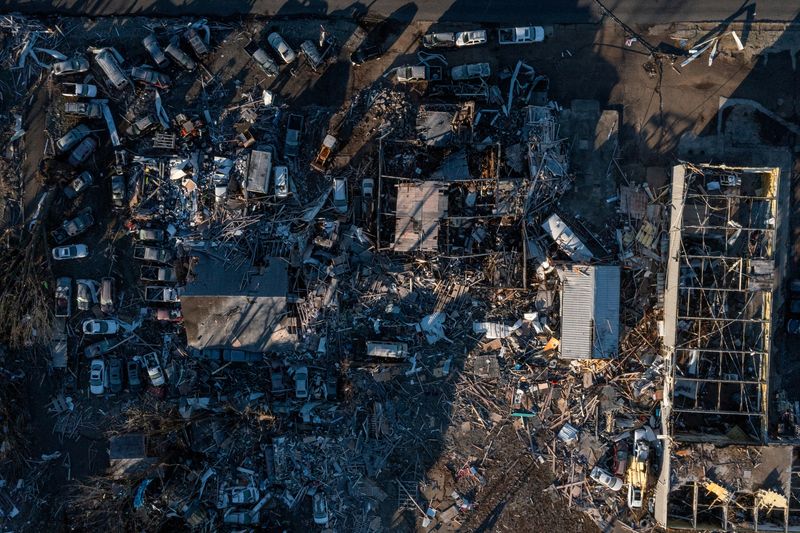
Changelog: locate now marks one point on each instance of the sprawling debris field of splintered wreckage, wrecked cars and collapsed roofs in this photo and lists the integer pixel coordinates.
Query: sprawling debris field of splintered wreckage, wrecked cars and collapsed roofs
(284, 316)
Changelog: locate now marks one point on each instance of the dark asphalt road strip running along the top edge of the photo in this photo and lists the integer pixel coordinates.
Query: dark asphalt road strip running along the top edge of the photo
(489, 11)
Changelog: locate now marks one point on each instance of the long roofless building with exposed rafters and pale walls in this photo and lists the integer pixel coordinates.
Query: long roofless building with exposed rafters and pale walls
(721, 469)
